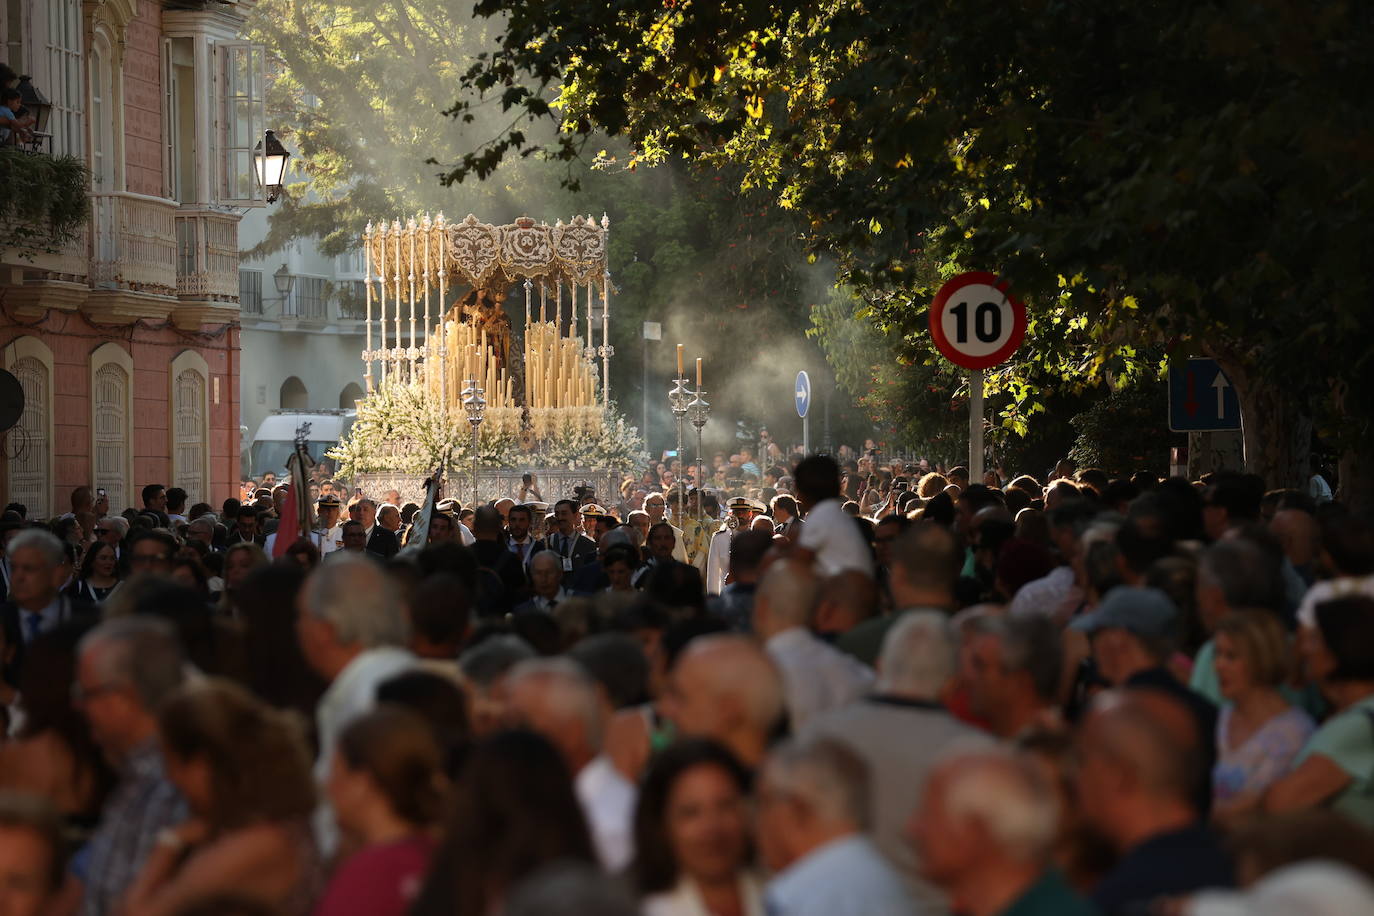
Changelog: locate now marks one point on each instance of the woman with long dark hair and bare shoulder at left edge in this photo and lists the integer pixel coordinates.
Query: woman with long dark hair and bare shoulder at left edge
(54, 755)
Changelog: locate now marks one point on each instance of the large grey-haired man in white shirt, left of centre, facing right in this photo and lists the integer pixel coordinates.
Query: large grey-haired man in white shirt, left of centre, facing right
(352, 631)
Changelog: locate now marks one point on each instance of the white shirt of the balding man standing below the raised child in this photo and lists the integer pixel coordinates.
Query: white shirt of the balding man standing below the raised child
(817, 678)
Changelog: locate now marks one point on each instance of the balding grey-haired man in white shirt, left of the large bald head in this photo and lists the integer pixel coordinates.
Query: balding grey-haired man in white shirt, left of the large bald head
(559, 700)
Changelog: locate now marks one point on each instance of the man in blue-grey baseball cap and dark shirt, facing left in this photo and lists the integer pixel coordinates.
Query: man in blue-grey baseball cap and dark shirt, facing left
(1133, 637)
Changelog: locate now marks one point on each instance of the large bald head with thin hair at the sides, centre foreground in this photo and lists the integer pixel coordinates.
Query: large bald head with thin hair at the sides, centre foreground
(726, 689)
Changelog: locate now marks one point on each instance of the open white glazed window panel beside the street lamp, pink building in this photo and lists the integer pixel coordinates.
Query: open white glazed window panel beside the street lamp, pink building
(243, 84)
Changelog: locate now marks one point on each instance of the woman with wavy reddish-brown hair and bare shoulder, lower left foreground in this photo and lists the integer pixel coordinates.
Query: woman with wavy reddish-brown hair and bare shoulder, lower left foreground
(245, 774)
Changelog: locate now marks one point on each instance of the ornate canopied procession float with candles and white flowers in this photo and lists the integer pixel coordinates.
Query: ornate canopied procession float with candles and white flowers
(453, 385)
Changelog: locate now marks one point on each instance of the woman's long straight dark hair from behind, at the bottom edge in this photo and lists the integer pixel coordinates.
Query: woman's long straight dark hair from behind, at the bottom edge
(515, 811)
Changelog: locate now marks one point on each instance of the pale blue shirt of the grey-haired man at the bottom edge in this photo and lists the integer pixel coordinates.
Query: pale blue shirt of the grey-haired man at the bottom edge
(847, 877)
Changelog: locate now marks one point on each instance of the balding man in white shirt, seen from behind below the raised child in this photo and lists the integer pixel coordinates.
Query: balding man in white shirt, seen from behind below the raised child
(817, 678)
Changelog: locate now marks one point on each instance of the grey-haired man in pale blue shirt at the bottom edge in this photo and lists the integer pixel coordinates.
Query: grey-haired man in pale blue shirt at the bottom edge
(813, 814)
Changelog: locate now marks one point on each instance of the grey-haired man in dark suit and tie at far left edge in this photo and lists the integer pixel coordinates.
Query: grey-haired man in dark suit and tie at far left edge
(38, 571)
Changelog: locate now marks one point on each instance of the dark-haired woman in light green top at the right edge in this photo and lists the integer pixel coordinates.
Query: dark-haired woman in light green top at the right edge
(1336, 768)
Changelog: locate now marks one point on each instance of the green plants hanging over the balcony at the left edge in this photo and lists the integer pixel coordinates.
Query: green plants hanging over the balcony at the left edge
(46, 200)
